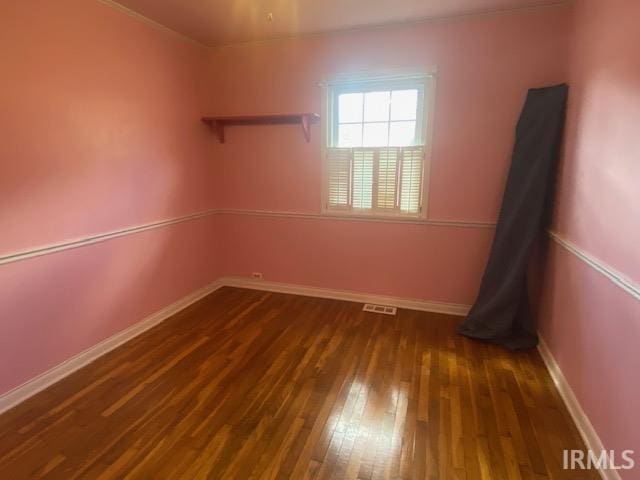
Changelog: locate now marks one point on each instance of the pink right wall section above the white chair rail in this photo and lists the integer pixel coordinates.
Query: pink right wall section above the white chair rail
(599, 194)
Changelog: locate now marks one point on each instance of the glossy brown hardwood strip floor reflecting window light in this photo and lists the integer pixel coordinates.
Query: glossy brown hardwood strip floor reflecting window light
(248, 384)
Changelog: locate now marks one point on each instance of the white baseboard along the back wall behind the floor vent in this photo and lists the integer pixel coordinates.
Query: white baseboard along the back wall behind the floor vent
(347, 295)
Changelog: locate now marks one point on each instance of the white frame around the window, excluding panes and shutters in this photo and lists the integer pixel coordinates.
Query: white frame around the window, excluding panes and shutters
(424, 79)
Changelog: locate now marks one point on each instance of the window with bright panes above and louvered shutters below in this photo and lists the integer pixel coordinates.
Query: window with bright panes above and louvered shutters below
(377, 148)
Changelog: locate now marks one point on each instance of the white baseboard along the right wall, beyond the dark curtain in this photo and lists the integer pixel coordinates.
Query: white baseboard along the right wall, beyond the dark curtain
(587, 432)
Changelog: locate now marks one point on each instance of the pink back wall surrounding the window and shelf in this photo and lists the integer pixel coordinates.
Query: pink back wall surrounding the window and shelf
(485, 65)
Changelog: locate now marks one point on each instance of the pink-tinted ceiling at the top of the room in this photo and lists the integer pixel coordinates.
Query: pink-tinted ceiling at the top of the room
(219, 22)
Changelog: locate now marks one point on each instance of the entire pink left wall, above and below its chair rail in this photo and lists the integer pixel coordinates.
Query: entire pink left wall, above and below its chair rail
(100, 131)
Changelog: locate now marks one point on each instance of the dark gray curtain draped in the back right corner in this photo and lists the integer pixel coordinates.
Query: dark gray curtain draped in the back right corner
(501, 312)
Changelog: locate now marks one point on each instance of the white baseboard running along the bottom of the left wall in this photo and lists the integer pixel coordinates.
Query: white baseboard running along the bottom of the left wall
(57, 373)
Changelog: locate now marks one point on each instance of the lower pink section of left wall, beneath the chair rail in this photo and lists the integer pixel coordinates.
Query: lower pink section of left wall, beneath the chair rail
(58, 305)
